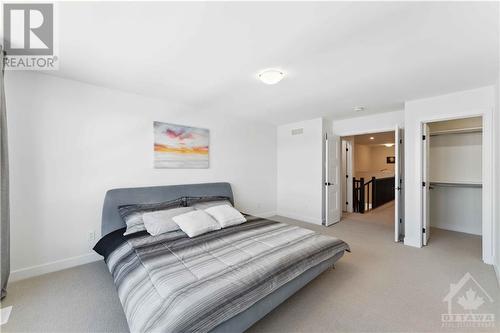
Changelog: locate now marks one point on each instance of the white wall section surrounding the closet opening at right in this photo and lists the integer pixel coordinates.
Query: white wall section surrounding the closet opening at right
(457, 105)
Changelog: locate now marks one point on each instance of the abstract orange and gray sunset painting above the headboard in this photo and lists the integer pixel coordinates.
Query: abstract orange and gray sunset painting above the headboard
(180, 147)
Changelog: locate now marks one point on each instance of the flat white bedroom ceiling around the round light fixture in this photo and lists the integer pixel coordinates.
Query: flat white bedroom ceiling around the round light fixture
(337, 55)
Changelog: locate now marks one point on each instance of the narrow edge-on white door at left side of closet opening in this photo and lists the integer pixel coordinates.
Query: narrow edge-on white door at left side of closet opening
(426, 220)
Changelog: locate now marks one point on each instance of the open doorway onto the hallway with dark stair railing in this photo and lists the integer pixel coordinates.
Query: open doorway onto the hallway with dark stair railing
(371, 179)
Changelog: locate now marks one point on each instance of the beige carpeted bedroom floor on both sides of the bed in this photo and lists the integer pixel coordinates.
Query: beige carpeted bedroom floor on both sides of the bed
(381, 286)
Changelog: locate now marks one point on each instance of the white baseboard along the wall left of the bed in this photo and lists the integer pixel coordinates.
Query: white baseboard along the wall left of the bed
(54, 266)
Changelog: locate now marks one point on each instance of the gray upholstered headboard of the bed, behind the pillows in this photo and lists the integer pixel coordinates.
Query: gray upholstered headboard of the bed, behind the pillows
(111, 219)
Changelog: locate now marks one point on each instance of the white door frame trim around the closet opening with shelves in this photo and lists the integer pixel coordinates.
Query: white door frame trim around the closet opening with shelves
(487, 161)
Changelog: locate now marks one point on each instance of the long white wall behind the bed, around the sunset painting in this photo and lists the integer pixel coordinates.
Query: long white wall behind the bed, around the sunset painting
(71, 142)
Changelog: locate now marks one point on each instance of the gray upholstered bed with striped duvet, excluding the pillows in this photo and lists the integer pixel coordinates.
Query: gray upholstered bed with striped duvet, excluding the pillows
(222, 281)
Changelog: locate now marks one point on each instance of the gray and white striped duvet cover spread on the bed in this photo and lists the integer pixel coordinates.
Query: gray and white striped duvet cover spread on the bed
(173, 283)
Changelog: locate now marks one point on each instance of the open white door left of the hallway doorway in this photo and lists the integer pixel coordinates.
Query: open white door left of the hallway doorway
(333, 195)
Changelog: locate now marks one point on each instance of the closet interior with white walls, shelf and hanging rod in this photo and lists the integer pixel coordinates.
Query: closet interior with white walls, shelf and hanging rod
(452, 156)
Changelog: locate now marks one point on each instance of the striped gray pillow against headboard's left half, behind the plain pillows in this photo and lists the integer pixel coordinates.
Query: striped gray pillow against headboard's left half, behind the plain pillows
(132, 214)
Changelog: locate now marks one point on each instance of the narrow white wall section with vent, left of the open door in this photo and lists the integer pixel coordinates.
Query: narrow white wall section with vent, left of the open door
(300, 171)
